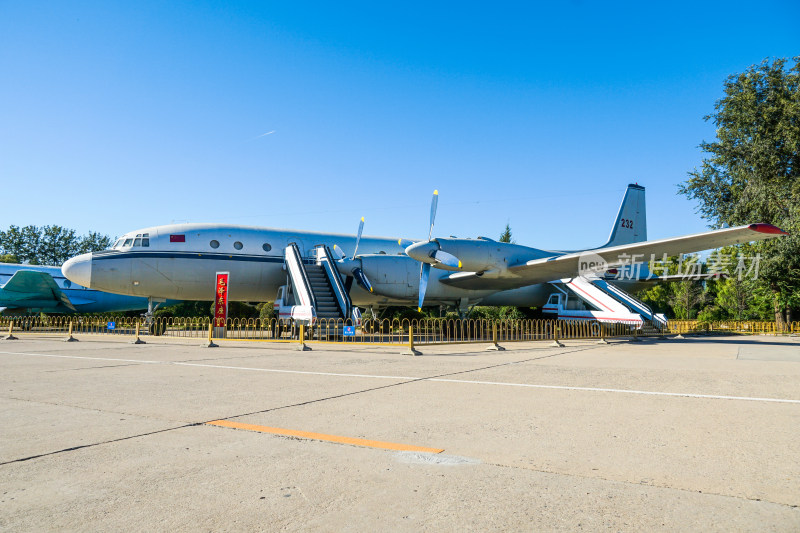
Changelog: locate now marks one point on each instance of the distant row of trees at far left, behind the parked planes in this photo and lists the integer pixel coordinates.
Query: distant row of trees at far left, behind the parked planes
(48, 245)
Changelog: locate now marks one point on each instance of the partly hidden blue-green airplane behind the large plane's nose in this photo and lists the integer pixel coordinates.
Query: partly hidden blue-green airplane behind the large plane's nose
(26, 288)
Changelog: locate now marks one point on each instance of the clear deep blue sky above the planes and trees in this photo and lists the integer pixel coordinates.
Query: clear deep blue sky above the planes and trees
(116, 116)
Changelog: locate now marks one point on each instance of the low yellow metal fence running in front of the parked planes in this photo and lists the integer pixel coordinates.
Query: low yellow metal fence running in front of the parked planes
(371, 332)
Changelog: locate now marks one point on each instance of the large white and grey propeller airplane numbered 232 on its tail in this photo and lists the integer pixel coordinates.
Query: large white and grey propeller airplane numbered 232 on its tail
(179, 261)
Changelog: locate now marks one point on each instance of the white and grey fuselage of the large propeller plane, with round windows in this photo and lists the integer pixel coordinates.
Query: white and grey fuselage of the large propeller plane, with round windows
(180, 262)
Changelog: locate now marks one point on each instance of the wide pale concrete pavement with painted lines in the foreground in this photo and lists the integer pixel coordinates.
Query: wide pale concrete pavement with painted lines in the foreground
(662, 435)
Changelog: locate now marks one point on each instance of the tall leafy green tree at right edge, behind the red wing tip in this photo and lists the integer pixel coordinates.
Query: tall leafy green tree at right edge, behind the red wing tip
(752, 171)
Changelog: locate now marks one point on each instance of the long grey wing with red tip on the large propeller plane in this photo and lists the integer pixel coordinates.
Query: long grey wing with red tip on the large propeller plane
(567, 265)
